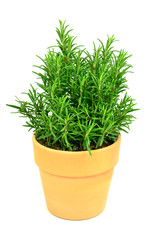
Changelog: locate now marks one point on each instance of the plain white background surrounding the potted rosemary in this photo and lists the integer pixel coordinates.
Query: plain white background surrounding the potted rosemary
(27, 29)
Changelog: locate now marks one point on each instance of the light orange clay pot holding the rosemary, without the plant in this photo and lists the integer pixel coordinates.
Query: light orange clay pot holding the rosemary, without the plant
(76, 184)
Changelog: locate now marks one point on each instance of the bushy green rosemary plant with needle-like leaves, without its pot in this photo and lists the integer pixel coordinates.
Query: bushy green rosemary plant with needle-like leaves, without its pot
(81, 100)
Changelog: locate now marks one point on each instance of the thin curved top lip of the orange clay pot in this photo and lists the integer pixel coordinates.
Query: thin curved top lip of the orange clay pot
(74, 152)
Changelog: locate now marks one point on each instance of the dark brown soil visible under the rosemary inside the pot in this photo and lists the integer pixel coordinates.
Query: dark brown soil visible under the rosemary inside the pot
(77, 147)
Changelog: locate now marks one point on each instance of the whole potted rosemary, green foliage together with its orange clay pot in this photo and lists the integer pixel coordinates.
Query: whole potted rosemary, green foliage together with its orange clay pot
(77, 113)
